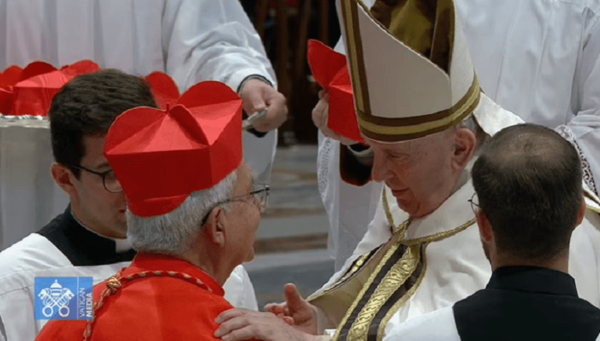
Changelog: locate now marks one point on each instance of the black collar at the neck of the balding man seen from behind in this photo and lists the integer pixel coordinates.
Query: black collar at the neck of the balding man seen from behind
(533, 279)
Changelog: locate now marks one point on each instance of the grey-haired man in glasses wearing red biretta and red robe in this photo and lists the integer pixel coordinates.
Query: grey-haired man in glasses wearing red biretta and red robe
(191, 217)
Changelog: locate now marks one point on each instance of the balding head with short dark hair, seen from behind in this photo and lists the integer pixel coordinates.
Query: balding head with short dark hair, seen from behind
(528, 182)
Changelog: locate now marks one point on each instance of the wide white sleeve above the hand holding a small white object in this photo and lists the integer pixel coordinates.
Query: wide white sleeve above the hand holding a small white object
(211, 40)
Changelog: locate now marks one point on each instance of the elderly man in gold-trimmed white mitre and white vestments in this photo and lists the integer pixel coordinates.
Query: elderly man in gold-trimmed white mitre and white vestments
(420, 109)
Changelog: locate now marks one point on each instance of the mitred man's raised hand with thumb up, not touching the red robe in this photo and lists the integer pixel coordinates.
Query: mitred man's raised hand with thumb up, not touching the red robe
(303, 314)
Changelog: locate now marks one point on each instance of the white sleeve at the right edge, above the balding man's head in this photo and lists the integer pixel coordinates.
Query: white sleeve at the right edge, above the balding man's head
(585, 102)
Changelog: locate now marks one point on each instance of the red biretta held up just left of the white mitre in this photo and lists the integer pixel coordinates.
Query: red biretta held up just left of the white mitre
(331, 73)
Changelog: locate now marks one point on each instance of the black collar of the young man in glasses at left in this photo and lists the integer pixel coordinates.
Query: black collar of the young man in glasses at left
(81, 246)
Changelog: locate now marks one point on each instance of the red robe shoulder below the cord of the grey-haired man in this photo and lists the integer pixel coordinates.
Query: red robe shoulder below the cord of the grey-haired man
(162, 303)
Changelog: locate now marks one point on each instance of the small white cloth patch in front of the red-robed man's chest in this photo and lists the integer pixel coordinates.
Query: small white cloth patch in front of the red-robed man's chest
(239, 291)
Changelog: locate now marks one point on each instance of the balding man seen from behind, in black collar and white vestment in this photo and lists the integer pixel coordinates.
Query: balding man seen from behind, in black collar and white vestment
(529, 199)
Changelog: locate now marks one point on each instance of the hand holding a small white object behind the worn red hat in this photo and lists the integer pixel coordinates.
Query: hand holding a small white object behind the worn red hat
(257, 96)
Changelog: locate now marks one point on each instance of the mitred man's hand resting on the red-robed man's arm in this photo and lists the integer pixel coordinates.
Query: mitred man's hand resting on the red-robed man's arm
(239, 324)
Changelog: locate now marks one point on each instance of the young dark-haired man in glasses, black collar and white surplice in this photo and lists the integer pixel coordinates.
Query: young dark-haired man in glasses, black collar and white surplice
(88, 239)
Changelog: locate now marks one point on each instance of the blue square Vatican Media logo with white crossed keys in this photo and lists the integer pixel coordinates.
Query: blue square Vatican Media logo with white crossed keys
(63, 298)
